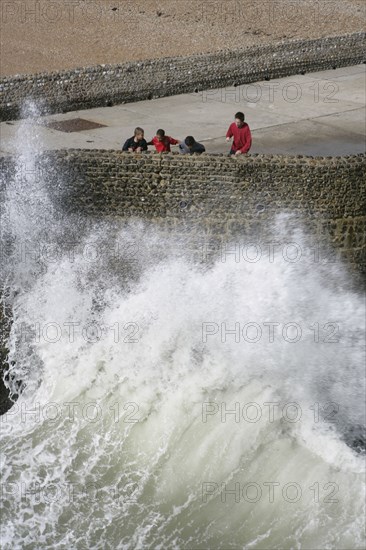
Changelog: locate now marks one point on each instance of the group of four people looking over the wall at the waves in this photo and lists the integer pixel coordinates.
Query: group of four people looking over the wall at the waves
(239, 131)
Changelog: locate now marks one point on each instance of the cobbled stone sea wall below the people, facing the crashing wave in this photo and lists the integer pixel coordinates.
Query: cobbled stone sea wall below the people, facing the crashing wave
(214, 198)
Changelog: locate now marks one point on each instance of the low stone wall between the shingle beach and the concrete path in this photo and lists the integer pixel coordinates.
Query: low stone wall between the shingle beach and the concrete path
(107, 85)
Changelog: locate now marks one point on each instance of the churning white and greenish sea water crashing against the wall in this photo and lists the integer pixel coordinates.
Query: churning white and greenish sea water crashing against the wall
(172, 404)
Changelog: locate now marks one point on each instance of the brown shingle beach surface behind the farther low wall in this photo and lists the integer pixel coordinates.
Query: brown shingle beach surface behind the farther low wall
(49, 36)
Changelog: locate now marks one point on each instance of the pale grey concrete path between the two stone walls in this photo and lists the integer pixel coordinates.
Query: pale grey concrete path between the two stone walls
(319, 113)
